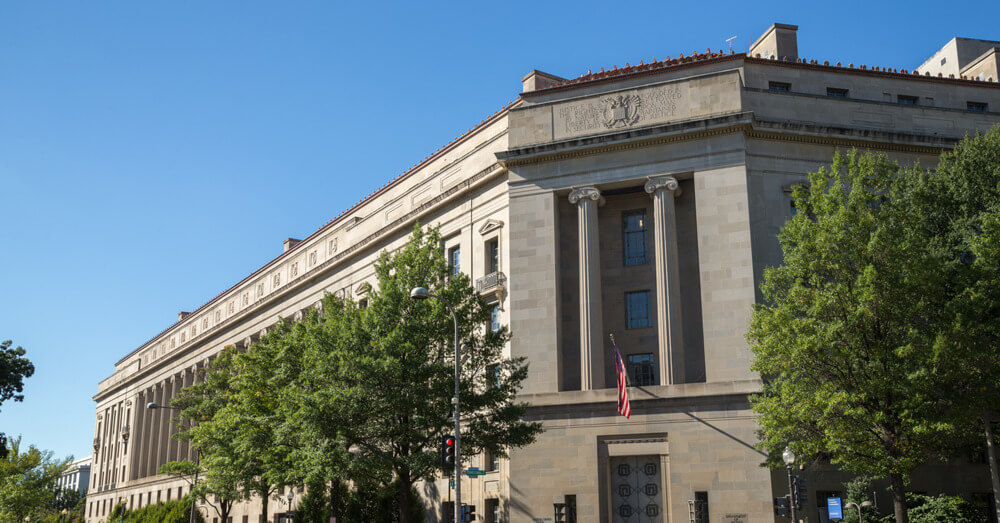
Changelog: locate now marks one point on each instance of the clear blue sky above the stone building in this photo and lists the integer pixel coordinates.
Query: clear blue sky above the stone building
(154, 153)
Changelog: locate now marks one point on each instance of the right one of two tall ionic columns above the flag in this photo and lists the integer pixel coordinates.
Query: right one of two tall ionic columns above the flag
(663, 190)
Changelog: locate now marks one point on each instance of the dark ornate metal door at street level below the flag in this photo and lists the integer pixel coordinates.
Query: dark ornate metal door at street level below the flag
(636, 489)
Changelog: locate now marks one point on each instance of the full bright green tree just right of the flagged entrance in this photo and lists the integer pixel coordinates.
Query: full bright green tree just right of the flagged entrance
(847, 336)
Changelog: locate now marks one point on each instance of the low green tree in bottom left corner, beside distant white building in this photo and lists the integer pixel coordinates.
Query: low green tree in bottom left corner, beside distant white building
(27, 482)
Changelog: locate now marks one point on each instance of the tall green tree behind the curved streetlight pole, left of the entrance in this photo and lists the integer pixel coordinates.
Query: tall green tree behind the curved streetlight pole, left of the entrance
(377, 379)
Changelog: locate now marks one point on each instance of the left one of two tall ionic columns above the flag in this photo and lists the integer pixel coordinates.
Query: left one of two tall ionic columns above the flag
(587, 199)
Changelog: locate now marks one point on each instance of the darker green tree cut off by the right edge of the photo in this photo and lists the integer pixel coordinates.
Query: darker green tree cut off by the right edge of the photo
(962, 200)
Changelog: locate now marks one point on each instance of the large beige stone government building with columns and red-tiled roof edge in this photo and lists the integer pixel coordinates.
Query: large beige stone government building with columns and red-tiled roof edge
(642, 201)
